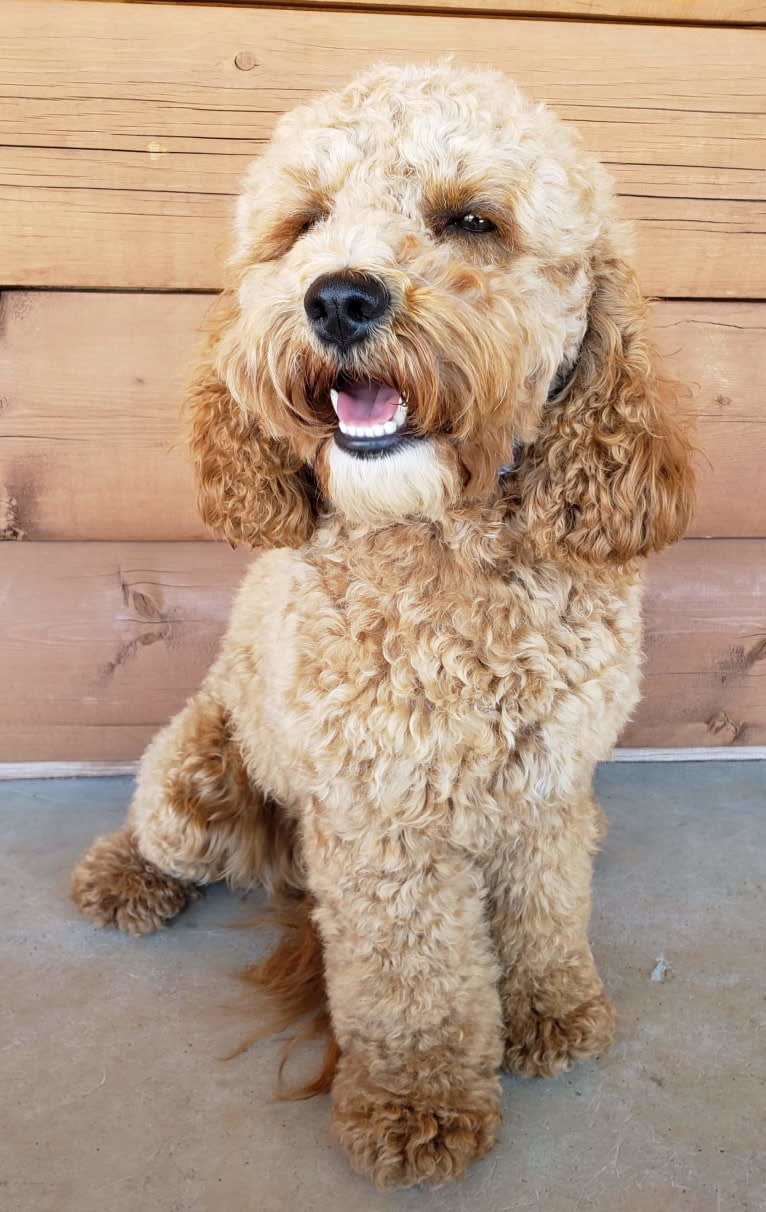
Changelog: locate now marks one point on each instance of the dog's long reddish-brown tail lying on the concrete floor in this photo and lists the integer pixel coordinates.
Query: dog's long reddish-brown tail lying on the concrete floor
(290, 982)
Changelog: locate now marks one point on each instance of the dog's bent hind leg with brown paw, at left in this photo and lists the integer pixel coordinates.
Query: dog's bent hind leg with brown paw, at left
(196, 819)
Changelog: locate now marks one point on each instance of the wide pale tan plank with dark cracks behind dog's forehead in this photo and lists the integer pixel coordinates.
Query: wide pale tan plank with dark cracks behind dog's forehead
(127, 128)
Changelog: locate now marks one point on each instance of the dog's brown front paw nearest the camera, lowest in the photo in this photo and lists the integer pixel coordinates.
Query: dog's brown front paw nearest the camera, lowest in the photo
(398, 1142)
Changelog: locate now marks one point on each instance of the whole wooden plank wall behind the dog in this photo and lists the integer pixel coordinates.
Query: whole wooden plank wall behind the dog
(124, 132)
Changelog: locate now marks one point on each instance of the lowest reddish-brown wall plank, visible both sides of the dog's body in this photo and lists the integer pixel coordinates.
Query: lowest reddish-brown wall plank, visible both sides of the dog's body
(101, 643)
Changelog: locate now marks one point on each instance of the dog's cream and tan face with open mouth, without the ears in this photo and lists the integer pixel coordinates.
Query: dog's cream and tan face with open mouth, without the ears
(415, 260)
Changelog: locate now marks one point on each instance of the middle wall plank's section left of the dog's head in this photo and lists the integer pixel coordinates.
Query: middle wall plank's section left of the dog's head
(90, 388)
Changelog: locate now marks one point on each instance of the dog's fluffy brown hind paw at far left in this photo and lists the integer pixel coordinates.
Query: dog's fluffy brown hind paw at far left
(113, 885)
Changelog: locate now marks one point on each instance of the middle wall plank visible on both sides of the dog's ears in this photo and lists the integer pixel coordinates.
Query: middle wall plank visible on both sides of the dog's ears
(89, 424)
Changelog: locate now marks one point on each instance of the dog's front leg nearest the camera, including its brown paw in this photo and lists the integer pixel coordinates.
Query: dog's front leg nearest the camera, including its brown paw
(413, 984)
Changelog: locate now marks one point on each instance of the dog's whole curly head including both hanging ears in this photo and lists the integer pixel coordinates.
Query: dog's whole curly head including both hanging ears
(428, 279)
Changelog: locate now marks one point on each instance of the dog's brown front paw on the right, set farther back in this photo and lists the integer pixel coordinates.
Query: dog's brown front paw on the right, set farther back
(545, 1045)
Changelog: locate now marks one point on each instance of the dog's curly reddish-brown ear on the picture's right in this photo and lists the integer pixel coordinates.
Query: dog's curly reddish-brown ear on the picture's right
(610, 474)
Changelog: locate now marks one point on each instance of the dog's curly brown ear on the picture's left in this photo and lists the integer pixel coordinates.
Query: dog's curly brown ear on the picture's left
(253, 488)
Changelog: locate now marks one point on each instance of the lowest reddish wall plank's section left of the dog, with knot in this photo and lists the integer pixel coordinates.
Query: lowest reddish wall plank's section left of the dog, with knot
(101, 643)
